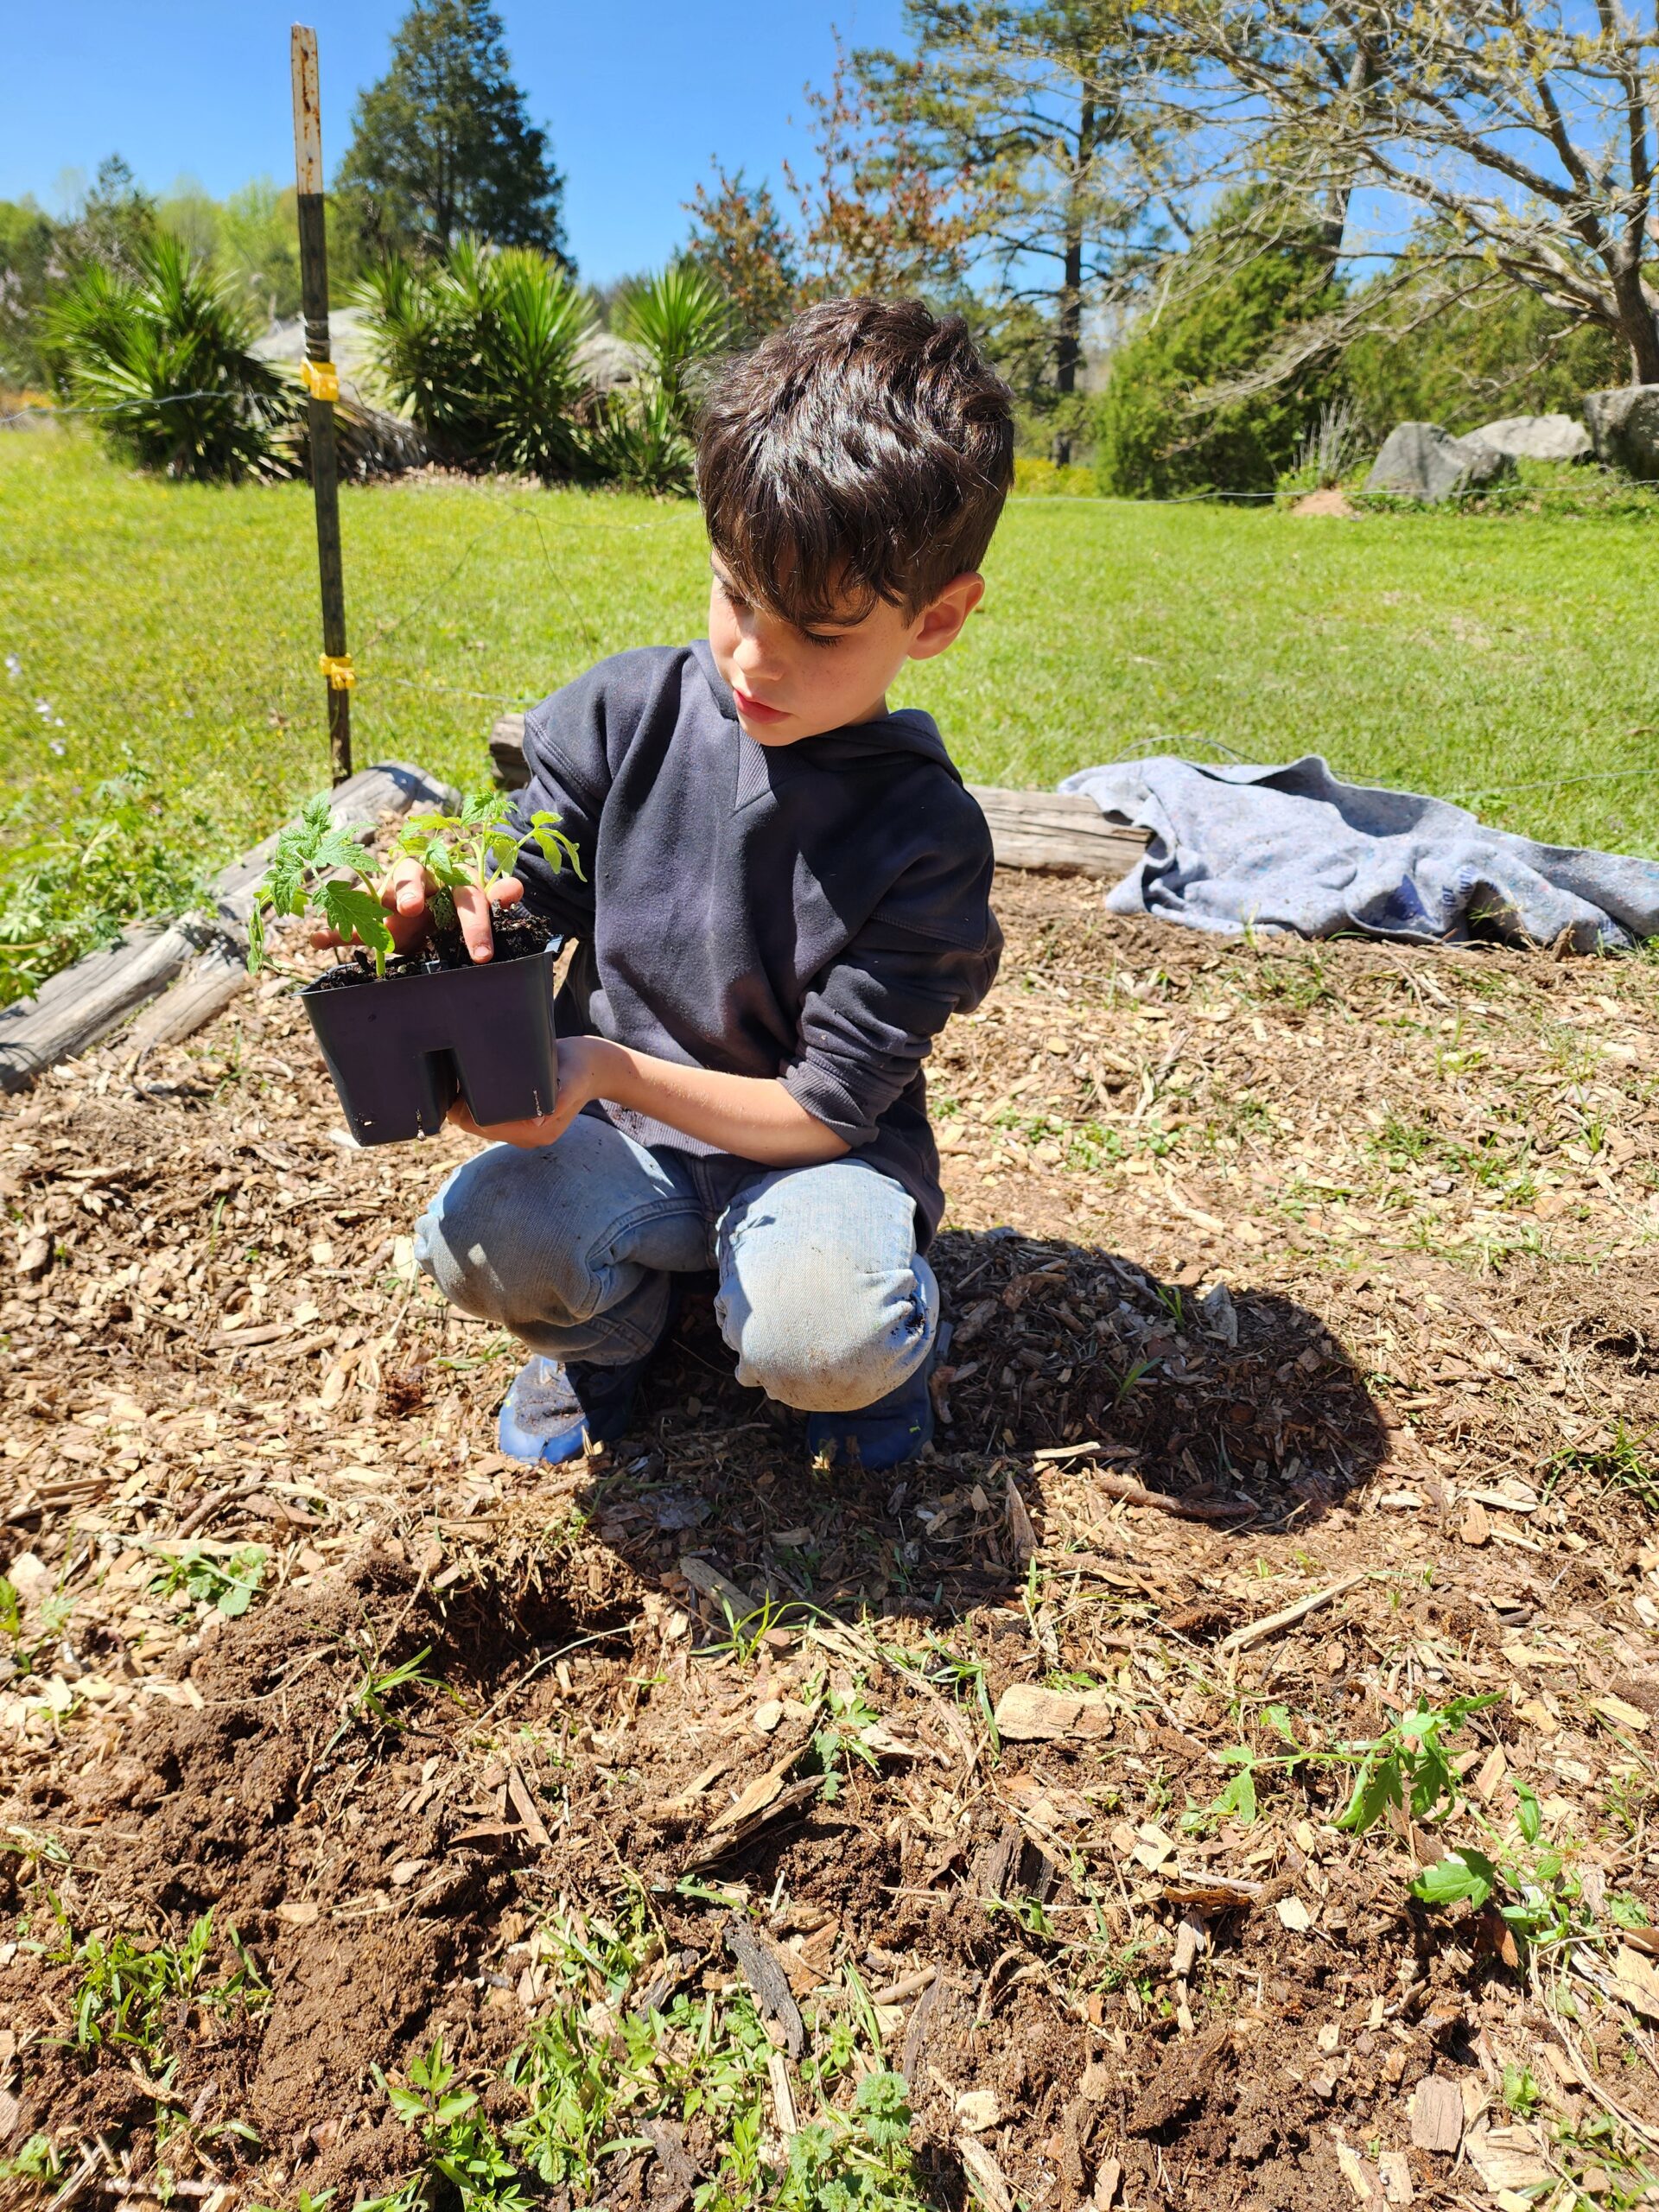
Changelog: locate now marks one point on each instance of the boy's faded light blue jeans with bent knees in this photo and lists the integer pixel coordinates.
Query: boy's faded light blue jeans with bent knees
(822, 1295)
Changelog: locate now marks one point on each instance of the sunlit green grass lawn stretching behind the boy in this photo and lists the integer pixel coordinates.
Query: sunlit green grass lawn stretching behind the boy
(174, 632)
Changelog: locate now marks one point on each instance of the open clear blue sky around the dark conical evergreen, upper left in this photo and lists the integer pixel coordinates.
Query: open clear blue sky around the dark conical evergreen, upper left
(638, 96)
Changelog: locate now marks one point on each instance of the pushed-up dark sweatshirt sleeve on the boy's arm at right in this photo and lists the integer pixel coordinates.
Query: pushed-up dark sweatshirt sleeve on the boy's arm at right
(870, 1019)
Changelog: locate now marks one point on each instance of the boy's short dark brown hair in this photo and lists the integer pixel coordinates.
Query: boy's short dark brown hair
(859, 455)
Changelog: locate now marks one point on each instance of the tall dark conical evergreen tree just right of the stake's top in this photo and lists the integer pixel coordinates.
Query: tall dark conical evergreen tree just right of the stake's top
(444, 143)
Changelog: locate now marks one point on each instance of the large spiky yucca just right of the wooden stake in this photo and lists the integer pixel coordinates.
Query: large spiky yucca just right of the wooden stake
(483, 351)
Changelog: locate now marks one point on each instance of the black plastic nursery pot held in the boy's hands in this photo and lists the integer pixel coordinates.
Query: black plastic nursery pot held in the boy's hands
(404, 1050)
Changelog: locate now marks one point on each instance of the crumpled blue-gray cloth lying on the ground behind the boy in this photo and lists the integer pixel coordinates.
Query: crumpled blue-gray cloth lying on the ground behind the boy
(1297, 848)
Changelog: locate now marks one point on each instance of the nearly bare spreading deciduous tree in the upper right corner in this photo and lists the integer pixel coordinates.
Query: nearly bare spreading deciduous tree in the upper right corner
(1523, 132)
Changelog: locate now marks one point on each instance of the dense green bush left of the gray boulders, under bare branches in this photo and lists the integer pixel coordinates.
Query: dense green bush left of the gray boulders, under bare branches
(1156, 435)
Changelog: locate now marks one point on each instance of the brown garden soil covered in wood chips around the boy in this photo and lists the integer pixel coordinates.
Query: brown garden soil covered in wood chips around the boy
(1426, 1185)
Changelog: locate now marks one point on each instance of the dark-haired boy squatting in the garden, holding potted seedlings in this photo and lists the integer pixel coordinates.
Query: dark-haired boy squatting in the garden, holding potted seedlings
(786, 899)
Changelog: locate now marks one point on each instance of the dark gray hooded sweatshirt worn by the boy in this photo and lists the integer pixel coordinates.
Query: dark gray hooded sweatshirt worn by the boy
(811, 912)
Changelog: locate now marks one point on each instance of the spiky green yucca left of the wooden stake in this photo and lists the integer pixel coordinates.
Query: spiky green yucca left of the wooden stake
(167, 351)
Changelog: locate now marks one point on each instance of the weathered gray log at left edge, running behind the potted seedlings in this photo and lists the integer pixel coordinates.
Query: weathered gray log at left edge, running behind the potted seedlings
(94, 997)
